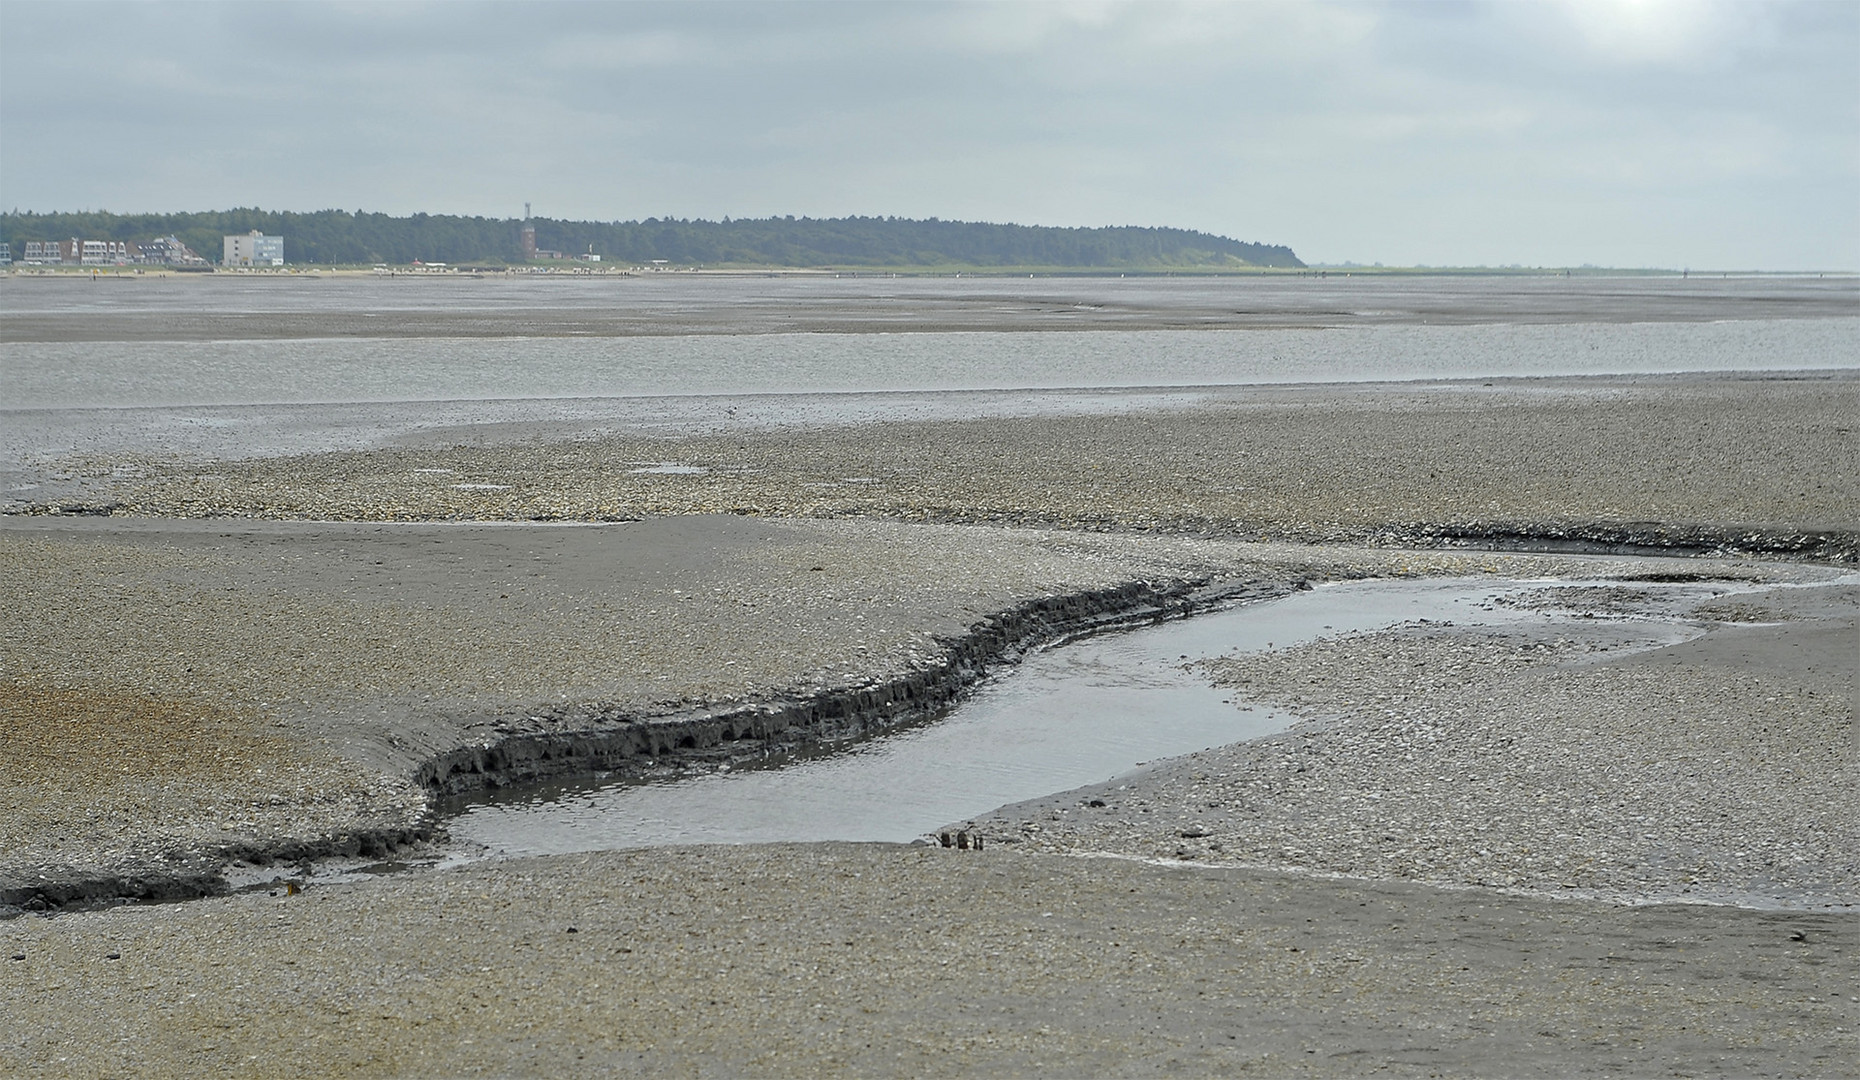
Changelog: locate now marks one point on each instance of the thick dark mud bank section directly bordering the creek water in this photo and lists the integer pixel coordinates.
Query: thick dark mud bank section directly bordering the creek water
(592, 741)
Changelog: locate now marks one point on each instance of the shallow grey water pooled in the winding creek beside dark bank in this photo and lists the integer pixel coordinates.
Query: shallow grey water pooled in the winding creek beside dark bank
(1063, 718)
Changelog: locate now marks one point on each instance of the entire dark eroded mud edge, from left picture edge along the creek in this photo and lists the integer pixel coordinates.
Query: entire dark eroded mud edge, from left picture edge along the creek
(583, 741)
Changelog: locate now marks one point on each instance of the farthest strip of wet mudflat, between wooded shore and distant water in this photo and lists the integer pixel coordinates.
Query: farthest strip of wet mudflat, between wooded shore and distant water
(233, 308)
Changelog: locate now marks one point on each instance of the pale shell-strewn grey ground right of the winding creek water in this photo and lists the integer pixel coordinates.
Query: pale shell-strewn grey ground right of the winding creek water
(1545, 761)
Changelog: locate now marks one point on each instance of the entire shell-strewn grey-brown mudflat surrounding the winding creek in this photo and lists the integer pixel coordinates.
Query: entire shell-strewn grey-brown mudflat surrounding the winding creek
(1470, 858)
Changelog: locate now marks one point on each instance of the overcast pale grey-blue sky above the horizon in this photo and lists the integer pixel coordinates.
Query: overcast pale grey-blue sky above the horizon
(1619, 133)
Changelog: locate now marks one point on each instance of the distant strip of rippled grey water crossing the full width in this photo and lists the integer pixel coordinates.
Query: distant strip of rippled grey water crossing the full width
(345, 371)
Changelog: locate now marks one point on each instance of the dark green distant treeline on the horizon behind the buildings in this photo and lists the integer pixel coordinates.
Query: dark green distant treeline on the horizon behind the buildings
(338, 237)
